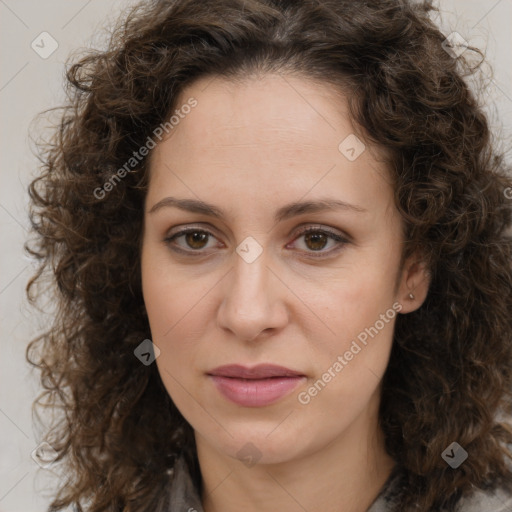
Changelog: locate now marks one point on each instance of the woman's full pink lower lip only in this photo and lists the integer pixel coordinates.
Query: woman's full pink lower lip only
(256, 392)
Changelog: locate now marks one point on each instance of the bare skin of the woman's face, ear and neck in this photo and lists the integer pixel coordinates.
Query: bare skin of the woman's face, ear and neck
(250, 152)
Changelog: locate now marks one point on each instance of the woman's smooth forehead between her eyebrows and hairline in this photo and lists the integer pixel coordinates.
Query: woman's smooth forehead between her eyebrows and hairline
(265, 134)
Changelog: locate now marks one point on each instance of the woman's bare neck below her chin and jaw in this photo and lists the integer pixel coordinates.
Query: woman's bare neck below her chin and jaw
(347, 474)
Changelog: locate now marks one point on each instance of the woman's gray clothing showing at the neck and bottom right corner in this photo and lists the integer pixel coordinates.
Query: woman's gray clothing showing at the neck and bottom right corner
(185, 497)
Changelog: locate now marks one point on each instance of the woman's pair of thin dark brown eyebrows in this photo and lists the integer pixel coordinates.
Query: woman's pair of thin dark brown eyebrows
(285, 212)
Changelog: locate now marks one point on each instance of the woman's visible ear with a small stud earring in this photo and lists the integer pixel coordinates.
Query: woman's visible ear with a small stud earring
(414, 284)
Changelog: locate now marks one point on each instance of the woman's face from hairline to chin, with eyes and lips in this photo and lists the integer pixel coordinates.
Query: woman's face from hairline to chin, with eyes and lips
(247, 287)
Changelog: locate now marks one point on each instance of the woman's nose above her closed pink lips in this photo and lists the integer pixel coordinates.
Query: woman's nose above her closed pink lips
(254, 300)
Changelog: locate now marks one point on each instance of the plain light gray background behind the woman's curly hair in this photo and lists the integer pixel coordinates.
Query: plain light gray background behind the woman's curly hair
(30, 84)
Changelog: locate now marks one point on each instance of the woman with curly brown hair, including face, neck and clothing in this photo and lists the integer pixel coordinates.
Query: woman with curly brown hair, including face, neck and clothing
(278, 231)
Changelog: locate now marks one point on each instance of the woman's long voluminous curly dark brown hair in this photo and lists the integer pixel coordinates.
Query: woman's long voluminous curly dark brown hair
(450, 373)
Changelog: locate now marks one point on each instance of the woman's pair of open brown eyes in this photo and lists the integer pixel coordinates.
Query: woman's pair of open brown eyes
(315, 240)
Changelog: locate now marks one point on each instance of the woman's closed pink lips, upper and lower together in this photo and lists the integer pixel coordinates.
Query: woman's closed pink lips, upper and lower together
(255, 387)
